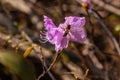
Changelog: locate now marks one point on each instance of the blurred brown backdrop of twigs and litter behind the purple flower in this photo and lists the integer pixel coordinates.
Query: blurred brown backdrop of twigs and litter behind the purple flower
(21, 22)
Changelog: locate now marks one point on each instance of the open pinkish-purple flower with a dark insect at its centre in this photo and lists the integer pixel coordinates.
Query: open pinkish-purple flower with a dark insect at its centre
(70, 30)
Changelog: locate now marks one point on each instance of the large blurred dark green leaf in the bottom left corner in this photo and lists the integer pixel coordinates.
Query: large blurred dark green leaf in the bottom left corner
(17, 64)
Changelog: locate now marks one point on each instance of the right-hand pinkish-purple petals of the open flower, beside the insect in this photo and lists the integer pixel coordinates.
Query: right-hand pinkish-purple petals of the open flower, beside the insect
(76, 32)
